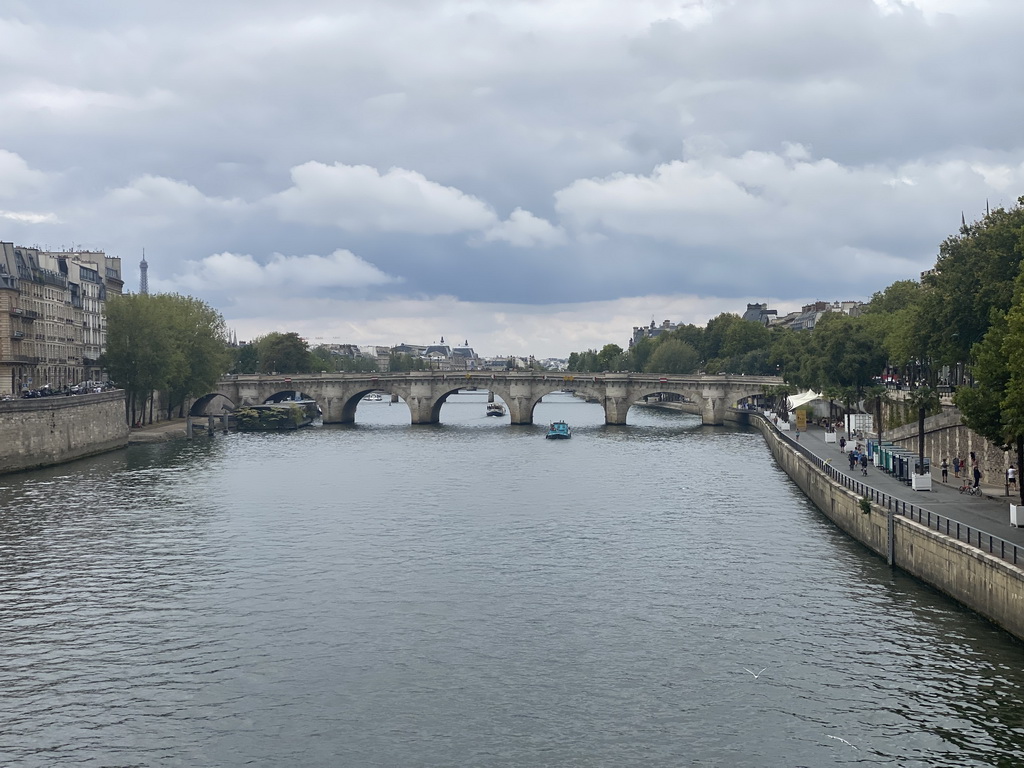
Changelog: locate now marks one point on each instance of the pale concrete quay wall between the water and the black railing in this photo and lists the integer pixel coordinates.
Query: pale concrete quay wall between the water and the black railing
(978, 581)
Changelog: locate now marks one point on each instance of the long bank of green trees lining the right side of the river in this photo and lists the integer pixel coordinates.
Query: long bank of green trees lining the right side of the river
(961, 326)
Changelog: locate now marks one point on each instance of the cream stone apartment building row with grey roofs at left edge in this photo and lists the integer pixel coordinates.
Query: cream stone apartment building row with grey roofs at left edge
(53, 329)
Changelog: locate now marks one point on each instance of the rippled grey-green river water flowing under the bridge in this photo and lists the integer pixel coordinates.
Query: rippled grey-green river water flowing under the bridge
(472, 594)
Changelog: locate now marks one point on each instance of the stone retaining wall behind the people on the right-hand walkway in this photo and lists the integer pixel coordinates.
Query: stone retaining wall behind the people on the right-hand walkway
(947, 437)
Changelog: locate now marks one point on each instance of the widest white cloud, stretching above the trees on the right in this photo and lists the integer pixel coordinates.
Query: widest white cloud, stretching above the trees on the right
(779, 201)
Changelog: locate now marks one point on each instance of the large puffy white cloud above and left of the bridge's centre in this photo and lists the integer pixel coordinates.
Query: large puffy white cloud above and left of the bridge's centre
(361, 199)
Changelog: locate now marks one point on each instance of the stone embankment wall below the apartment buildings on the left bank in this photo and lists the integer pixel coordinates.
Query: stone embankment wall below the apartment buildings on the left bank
(42, 432)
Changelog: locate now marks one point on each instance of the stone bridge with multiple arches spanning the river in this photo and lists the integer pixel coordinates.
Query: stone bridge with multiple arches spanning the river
(425, 392)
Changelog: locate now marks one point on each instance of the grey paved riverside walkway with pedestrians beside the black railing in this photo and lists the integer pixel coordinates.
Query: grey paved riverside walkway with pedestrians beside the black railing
(990, 513)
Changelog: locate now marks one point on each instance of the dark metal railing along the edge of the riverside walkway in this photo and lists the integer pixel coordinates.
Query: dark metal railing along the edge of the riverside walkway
(994, 545)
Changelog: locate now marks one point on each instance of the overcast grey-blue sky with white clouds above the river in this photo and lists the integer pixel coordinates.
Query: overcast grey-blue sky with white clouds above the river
(534, 177)
